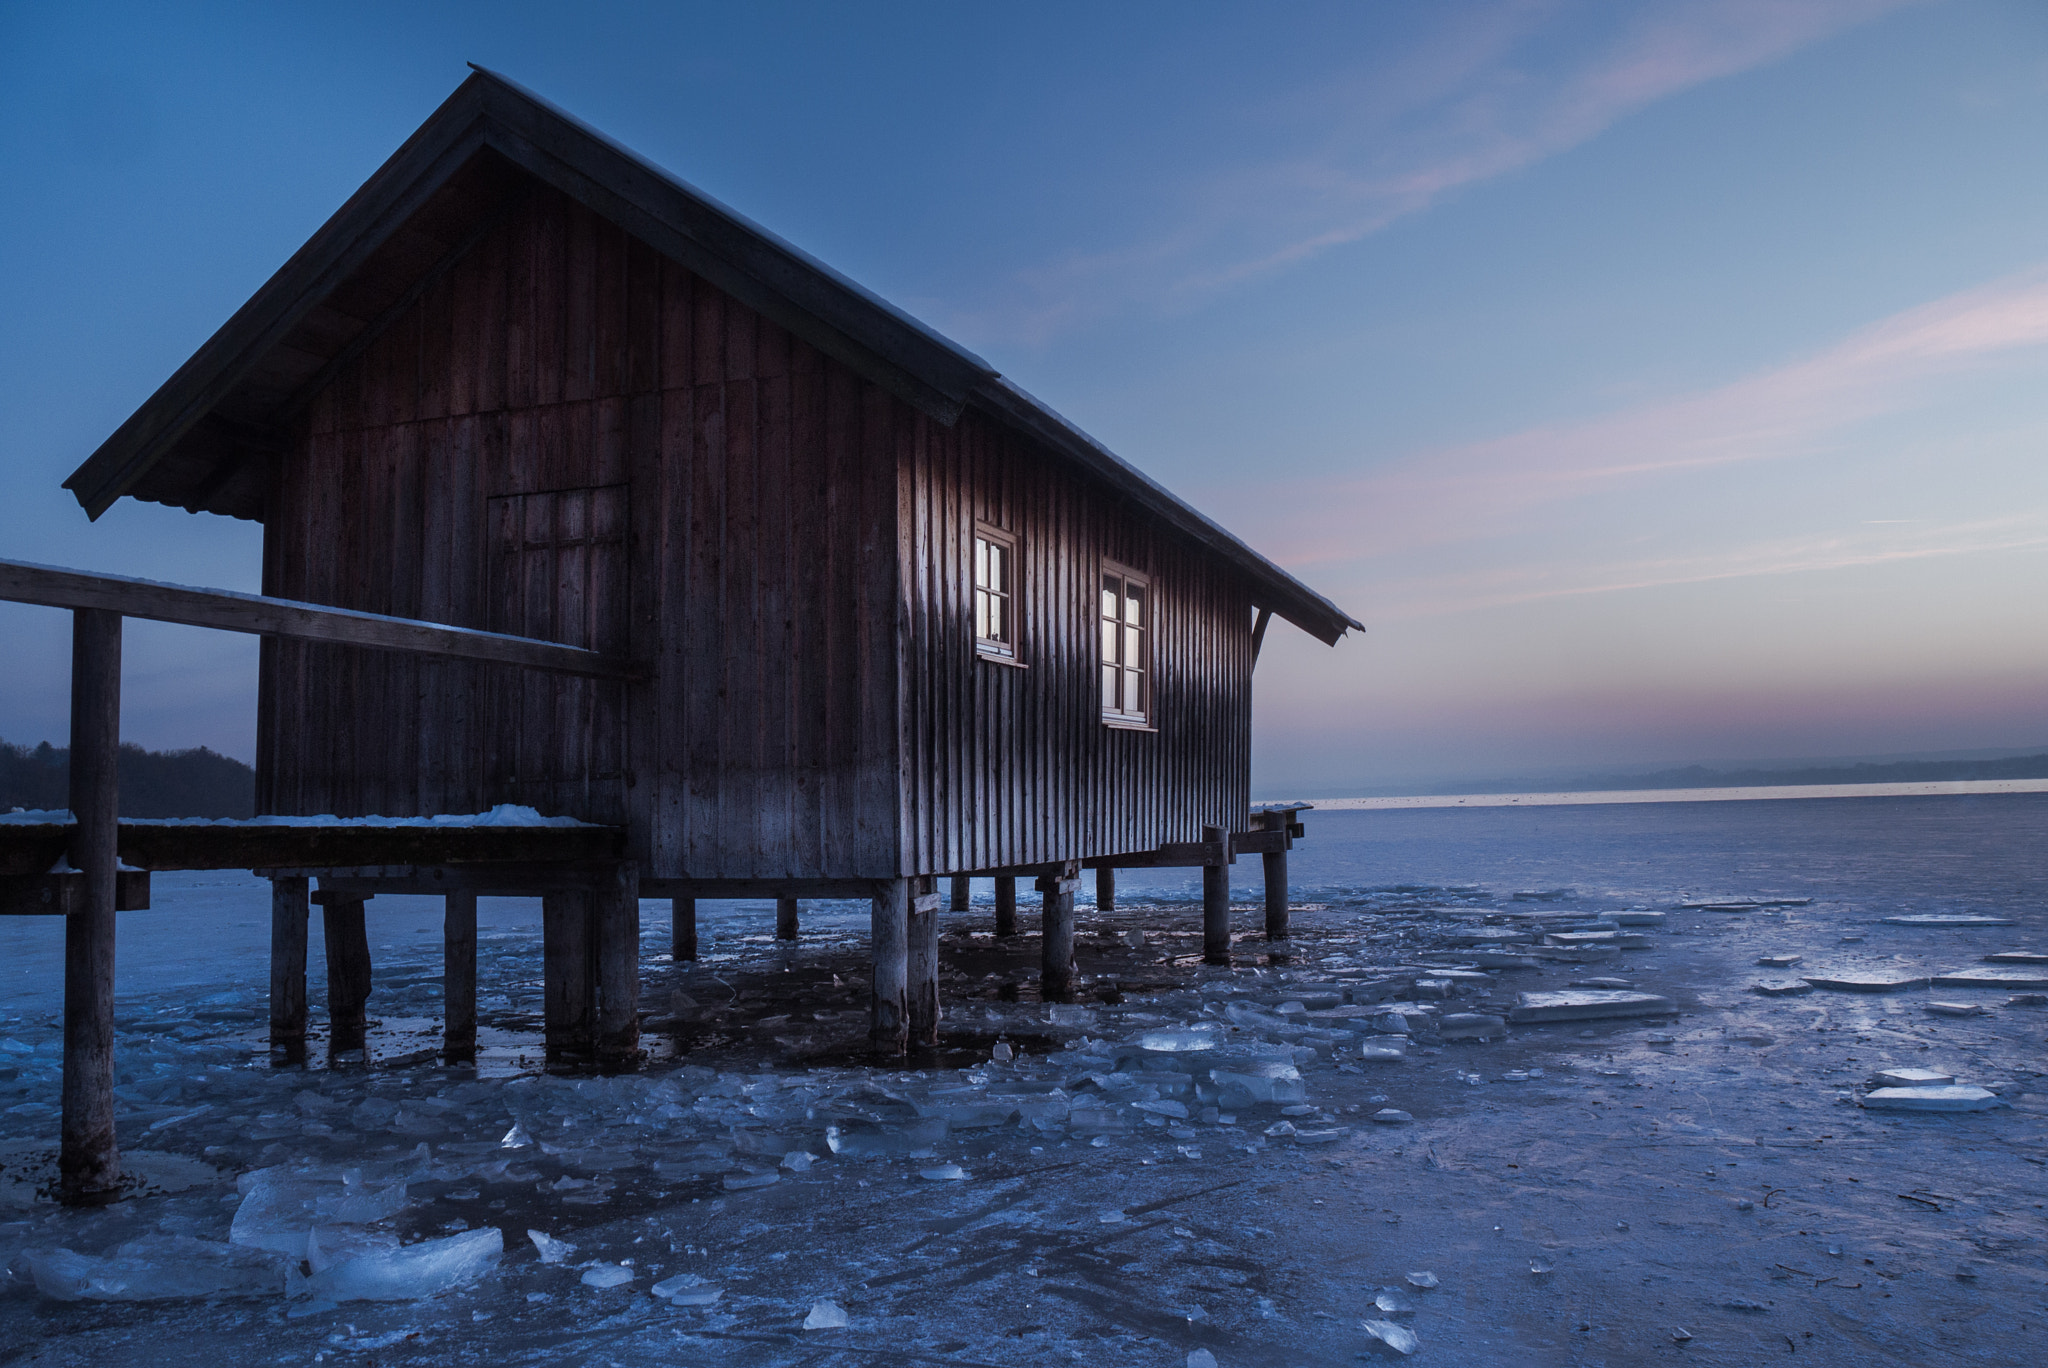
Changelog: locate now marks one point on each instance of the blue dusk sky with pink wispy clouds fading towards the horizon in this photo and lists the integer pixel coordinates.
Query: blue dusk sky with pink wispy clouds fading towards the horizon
(1660, 382)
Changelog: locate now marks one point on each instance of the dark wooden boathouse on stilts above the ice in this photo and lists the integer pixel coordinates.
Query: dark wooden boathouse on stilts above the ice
(853, 611)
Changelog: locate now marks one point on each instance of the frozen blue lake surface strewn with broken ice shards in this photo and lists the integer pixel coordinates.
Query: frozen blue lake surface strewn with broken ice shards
(1584, 1193)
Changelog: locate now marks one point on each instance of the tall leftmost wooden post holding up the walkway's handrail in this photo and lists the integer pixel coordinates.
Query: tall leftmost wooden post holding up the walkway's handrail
(89, 1160)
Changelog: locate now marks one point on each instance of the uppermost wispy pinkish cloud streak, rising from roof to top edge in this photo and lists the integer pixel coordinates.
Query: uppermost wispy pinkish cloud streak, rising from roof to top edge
(1486, 93)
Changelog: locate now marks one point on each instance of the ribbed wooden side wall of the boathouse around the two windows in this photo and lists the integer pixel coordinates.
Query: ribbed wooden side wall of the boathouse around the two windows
(1015, 765)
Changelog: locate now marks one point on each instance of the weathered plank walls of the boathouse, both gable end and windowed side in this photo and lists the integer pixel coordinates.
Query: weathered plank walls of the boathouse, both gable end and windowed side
(572, 437)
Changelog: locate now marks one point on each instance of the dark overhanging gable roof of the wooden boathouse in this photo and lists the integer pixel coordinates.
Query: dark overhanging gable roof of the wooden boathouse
(204, 439)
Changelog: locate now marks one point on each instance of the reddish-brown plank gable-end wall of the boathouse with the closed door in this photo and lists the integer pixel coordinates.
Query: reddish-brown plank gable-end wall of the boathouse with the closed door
(577, 439)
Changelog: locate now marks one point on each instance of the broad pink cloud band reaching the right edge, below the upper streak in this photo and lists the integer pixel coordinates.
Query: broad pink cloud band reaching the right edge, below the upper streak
(1791, 411)
